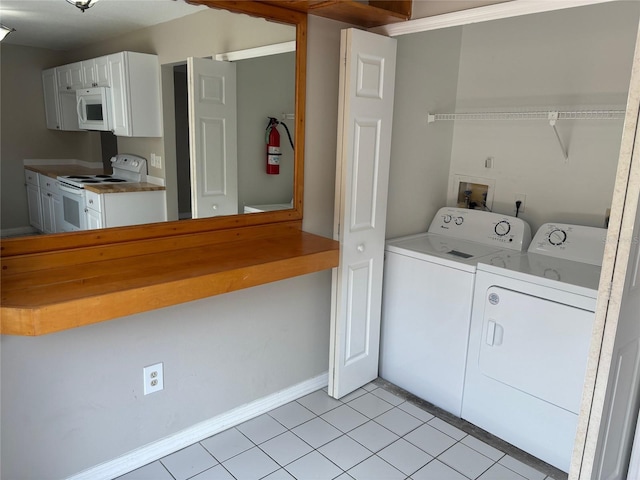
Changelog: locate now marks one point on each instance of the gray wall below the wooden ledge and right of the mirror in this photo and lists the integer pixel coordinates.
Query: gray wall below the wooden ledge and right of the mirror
(74, 399)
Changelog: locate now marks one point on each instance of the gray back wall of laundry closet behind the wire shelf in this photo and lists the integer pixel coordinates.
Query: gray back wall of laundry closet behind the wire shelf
(570, 59)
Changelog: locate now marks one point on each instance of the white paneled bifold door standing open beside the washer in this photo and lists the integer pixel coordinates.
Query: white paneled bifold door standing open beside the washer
(367, 78)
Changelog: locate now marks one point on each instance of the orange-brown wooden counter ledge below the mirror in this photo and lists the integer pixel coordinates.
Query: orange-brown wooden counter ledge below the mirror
(49, 292)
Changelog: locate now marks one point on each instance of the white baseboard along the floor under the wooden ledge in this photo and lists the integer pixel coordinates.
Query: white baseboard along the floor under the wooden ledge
(152, 452)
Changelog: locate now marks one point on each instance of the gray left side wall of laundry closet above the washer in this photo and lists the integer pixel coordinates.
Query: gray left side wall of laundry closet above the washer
(426, 81)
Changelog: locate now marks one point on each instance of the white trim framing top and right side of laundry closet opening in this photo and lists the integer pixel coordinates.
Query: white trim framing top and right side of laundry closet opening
(623, 207)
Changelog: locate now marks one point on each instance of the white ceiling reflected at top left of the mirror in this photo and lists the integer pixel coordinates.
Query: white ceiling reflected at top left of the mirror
(59, 25)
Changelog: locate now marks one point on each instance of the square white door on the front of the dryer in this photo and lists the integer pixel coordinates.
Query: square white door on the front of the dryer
(535, 345)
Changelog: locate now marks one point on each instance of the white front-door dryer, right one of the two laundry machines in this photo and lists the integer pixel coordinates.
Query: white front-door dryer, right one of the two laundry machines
(531, 327)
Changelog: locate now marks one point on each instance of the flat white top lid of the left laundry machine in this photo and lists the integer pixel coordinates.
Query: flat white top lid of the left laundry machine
(448, 251)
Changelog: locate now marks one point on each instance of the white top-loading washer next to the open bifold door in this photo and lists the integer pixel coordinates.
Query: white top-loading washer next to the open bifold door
(426, 299)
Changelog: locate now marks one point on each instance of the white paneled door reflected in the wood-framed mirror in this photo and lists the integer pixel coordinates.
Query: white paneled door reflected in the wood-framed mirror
(212, 137)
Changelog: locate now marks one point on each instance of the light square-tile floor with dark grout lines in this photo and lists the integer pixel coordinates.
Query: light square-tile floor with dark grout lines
(377, 432)
